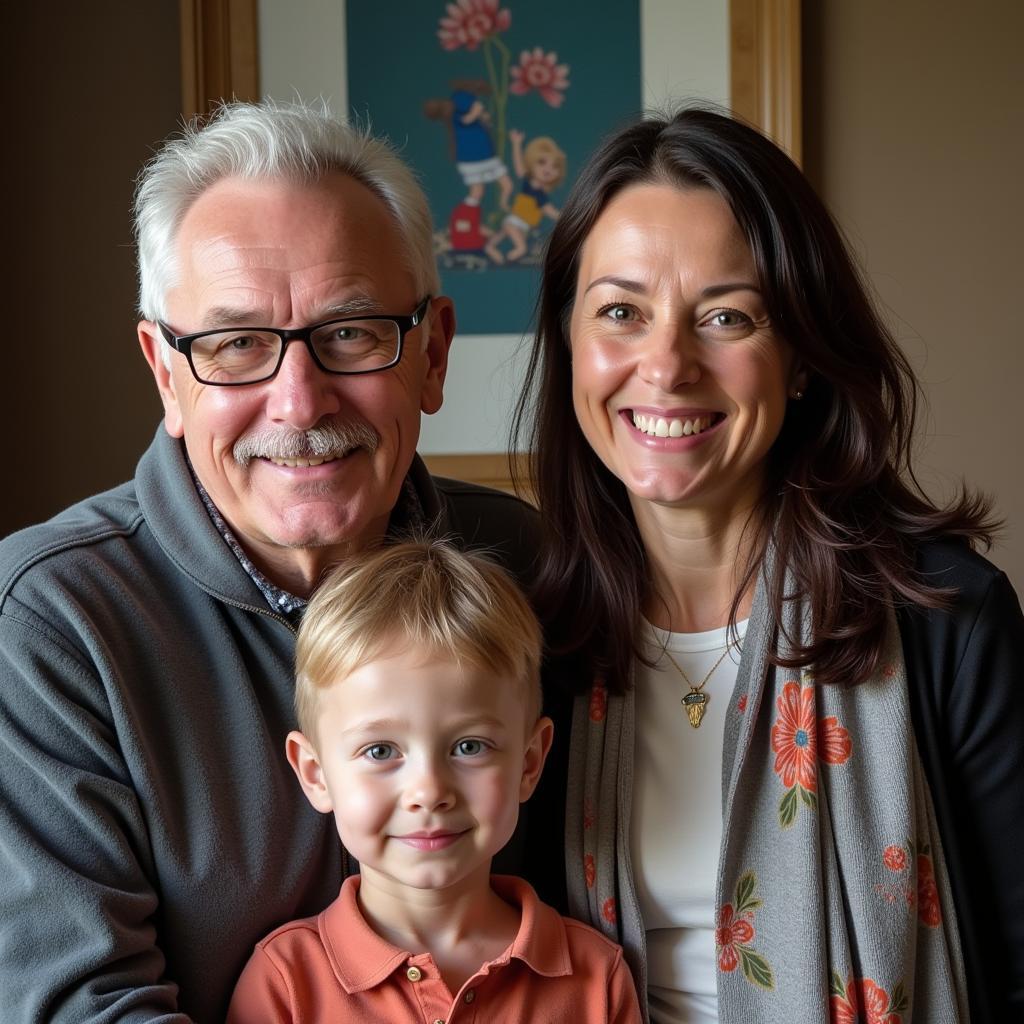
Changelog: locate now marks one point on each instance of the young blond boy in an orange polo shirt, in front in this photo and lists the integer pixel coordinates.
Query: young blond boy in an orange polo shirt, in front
(418, 699)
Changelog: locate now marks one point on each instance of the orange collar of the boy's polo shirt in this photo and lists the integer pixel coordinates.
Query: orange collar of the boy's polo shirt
(362, 960)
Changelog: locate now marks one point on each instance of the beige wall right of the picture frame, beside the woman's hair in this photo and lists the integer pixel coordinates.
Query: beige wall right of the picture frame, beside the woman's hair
(915, 136)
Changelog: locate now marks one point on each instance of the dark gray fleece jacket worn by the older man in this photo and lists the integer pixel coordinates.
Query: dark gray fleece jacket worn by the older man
(151, 829)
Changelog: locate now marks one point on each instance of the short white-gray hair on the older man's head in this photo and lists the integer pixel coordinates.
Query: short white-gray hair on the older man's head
(270, 142)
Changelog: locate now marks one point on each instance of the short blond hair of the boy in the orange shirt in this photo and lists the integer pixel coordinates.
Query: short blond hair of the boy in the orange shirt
(424, 594)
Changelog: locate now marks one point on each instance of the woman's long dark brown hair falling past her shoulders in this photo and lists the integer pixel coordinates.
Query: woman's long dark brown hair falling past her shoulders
(841, 503)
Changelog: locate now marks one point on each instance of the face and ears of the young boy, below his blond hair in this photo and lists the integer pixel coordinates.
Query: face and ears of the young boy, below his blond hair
(424, 764)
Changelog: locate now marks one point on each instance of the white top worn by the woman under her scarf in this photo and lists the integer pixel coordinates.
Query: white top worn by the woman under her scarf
(676, 824)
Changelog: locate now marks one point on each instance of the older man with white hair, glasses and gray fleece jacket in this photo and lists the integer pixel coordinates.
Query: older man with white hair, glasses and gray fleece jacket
(151, 831)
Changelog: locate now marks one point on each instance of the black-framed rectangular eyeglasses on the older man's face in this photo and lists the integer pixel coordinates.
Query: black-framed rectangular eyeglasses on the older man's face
(251, 355)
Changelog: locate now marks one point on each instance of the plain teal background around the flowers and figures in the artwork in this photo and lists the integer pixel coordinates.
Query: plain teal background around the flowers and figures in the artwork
(396, 63)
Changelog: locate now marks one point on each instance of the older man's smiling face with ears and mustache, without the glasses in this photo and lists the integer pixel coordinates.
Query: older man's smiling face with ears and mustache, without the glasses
(273, 254)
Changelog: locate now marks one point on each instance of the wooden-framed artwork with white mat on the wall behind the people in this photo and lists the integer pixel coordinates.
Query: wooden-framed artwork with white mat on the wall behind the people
(429, 71)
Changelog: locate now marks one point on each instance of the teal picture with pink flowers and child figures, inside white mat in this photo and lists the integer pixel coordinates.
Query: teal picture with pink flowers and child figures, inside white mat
(499, 102)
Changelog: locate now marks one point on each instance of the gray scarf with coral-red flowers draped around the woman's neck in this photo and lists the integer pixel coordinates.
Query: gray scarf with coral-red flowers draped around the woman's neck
(833, 899)
